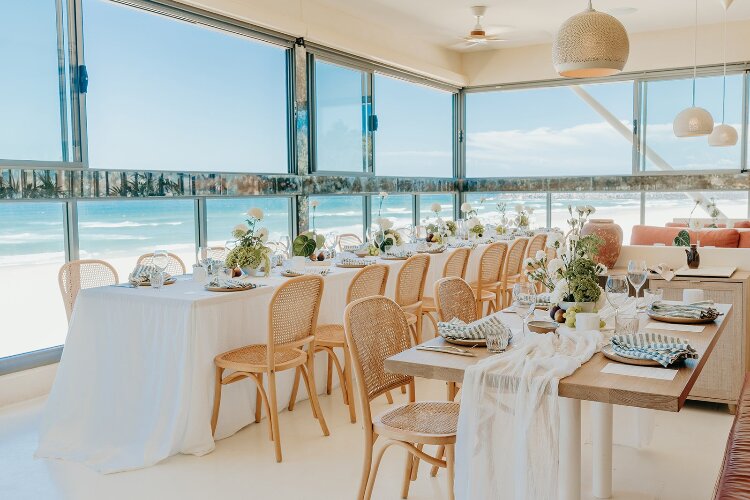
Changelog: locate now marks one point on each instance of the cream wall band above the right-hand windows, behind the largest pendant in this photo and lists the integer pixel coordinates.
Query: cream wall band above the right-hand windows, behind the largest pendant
(648, 51)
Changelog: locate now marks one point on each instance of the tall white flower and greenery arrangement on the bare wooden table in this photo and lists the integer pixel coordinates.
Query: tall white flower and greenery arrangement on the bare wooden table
(573, 275)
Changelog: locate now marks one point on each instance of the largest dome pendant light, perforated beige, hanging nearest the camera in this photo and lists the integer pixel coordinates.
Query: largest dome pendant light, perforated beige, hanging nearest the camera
(590, 44)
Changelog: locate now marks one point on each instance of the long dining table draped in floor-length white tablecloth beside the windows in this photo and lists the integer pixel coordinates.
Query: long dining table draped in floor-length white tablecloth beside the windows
(135, 382)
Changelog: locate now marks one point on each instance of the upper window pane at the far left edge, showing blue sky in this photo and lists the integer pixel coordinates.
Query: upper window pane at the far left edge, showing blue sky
(32, 94)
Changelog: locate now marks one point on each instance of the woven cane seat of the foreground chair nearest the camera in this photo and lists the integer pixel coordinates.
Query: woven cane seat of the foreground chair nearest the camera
(435, 418)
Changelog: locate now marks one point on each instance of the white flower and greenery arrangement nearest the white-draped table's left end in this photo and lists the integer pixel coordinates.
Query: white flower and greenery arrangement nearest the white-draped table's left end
(250, 253)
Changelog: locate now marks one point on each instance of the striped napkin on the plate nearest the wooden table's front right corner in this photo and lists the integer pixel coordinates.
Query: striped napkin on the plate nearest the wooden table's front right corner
(661, 348)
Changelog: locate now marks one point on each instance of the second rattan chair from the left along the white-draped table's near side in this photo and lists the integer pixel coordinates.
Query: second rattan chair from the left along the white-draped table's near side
(368, 281)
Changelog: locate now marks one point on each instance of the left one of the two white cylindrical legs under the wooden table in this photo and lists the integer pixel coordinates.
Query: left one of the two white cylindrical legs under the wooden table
(570, 449)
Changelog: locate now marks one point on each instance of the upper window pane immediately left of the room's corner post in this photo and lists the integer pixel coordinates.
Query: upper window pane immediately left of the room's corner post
(414, 135)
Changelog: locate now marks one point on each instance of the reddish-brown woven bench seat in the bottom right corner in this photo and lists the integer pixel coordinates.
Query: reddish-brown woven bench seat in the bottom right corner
(734, 478)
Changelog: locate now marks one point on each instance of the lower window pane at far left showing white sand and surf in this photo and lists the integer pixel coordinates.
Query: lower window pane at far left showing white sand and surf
(31, 253)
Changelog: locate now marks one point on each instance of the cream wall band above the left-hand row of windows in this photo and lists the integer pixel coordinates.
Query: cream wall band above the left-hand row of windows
(325, 25)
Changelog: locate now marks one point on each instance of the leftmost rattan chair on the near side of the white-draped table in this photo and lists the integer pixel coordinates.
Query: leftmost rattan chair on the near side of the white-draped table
(292, 318)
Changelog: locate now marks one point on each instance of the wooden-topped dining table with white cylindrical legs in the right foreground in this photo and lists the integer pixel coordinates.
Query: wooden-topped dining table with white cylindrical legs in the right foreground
(588, 383)
